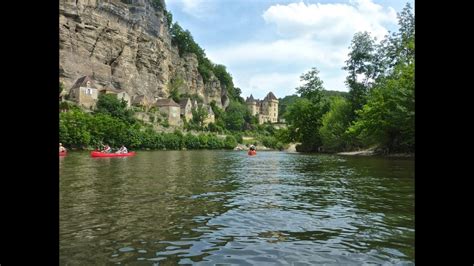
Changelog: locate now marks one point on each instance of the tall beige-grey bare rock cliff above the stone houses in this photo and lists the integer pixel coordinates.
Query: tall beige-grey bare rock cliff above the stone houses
(126, 44)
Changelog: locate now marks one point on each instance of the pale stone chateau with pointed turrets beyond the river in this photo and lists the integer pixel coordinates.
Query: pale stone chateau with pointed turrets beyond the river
(266, 109)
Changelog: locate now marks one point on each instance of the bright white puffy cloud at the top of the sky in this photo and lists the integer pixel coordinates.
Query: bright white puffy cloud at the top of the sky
(330, 21)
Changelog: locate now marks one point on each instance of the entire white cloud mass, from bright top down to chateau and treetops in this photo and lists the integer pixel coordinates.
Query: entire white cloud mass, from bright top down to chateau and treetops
(306, 35)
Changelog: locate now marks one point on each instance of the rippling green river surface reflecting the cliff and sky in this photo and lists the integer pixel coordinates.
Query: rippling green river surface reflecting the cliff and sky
(209, 207)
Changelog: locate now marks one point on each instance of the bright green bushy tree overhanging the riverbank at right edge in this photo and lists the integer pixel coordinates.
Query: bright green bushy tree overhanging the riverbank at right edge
(388, 117)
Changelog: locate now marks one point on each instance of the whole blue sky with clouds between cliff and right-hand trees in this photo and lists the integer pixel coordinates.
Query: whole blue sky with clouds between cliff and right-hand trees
(267, 45)
